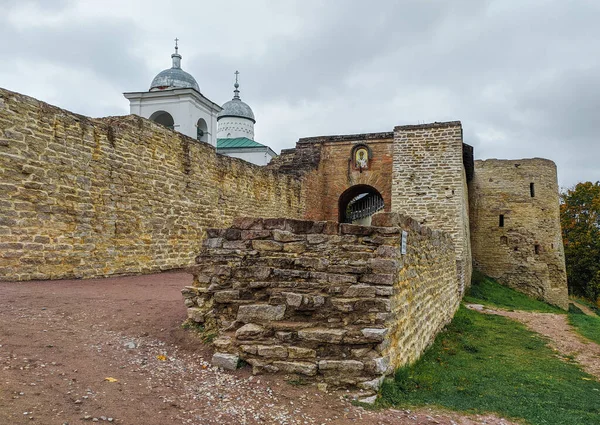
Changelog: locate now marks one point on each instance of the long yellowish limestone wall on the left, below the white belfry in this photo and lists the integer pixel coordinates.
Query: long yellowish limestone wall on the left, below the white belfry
(83, 197)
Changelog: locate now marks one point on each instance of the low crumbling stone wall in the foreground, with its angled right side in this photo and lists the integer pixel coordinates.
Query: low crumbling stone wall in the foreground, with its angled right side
(333, 303)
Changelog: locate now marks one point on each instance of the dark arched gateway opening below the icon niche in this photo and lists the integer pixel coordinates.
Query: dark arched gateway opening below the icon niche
(358, 204)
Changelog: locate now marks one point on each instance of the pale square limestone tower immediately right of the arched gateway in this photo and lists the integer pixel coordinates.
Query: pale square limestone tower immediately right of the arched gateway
(429, 184)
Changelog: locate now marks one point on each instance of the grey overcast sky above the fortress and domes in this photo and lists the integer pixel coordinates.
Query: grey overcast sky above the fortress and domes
(523, 76)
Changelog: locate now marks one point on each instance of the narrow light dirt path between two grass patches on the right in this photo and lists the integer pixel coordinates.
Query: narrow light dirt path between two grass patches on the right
(563, 337)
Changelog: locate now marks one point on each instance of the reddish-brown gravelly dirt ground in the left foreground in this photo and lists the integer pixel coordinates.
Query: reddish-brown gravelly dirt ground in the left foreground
(59, 340)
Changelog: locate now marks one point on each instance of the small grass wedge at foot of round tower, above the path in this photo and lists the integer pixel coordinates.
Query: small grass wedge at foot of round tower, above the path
(485, 290)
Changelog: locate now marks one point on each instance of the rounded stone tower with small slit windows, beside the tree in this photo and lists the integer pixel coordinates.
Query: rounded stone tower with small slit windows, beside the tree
(523, 249)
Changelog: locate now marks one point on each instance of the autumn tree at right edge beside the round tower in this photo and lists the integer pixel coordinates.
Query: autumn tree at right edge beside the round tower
(580, 222)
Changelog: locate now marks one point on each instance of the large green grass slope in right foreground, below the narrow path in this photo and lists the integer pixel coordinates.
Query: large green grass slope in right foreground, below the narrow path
(487, 363)
